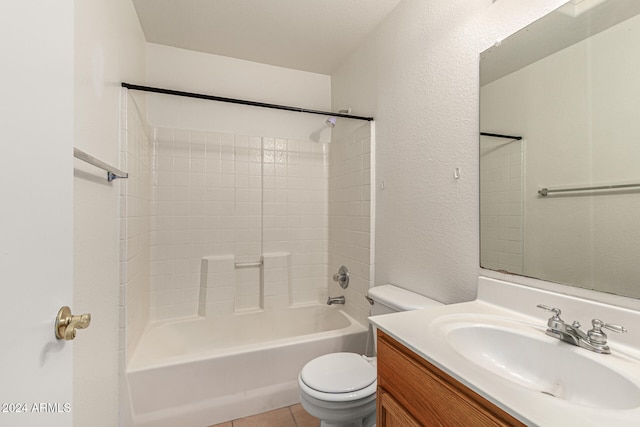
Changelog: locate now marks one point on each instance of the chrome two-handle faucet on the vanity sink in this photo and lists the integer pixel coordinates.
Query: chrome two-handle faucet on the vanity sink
(593, 340)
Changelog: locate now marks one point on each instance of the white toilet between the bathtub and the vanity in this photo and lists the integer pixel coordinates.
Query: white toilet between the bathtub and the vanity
(340, 388)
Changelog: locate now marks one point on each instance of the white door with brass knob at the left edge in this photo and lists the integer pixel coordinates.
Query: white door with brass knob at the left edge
(36, 206)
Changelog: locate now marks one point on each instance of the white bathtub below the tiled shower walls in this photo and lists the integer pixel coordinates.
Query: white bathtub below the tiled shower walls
(203, 371)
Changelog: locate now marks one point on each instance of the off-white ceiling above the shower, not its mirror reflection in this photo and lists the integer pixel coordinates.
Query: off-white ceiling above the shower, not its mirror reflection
(308, 35)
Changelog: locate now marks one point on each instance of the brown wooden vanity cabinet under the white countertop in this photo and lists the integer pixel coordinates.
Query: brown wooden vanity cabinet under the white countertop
(413, 392)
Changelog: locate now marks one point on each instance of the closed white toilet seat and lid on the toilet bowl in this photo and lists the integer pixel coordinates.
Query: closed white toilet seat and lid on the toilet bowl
(339, 377)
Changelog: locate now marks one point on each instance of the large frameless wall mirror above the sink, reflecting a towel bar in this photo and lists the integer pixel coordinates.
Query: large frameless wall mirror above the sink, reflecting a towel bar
(560, 148)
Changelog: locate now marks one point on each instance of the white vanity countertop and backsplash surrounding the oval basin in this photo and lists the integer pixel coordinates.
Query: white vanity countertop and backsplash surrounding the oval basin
(421, 331)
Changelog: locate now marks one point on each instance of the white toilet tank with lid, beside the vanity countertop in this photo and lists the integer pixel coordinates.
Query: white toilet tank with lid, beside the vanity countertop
(391, 299)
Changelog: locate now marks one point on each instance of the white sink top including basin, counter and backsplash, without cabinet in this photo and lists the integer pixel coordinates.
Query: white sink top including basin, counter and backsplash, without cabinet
(497, 347)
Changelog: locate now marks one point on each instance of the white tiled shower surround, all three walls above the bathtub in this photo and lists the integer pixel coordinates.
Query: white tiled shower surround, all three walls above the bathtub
(231, 198)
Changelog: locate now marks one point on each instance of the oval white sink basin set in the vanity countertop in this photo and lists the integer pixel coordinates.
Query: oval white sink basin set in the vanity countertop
(526, 356)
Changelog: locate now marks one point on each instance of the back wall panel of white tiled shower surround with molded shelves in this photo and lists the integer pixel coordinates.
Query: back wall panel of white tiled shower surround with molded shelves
(221, 199)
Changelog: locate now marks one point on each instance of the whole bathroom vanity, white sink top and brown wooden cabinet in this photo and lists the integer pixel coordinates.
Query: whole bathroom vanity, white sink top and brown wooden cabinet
(491, 362)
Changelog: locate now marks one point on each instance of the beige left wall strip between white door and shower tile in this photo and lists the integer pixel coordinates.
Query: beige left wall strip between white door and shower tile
(109, 48)
